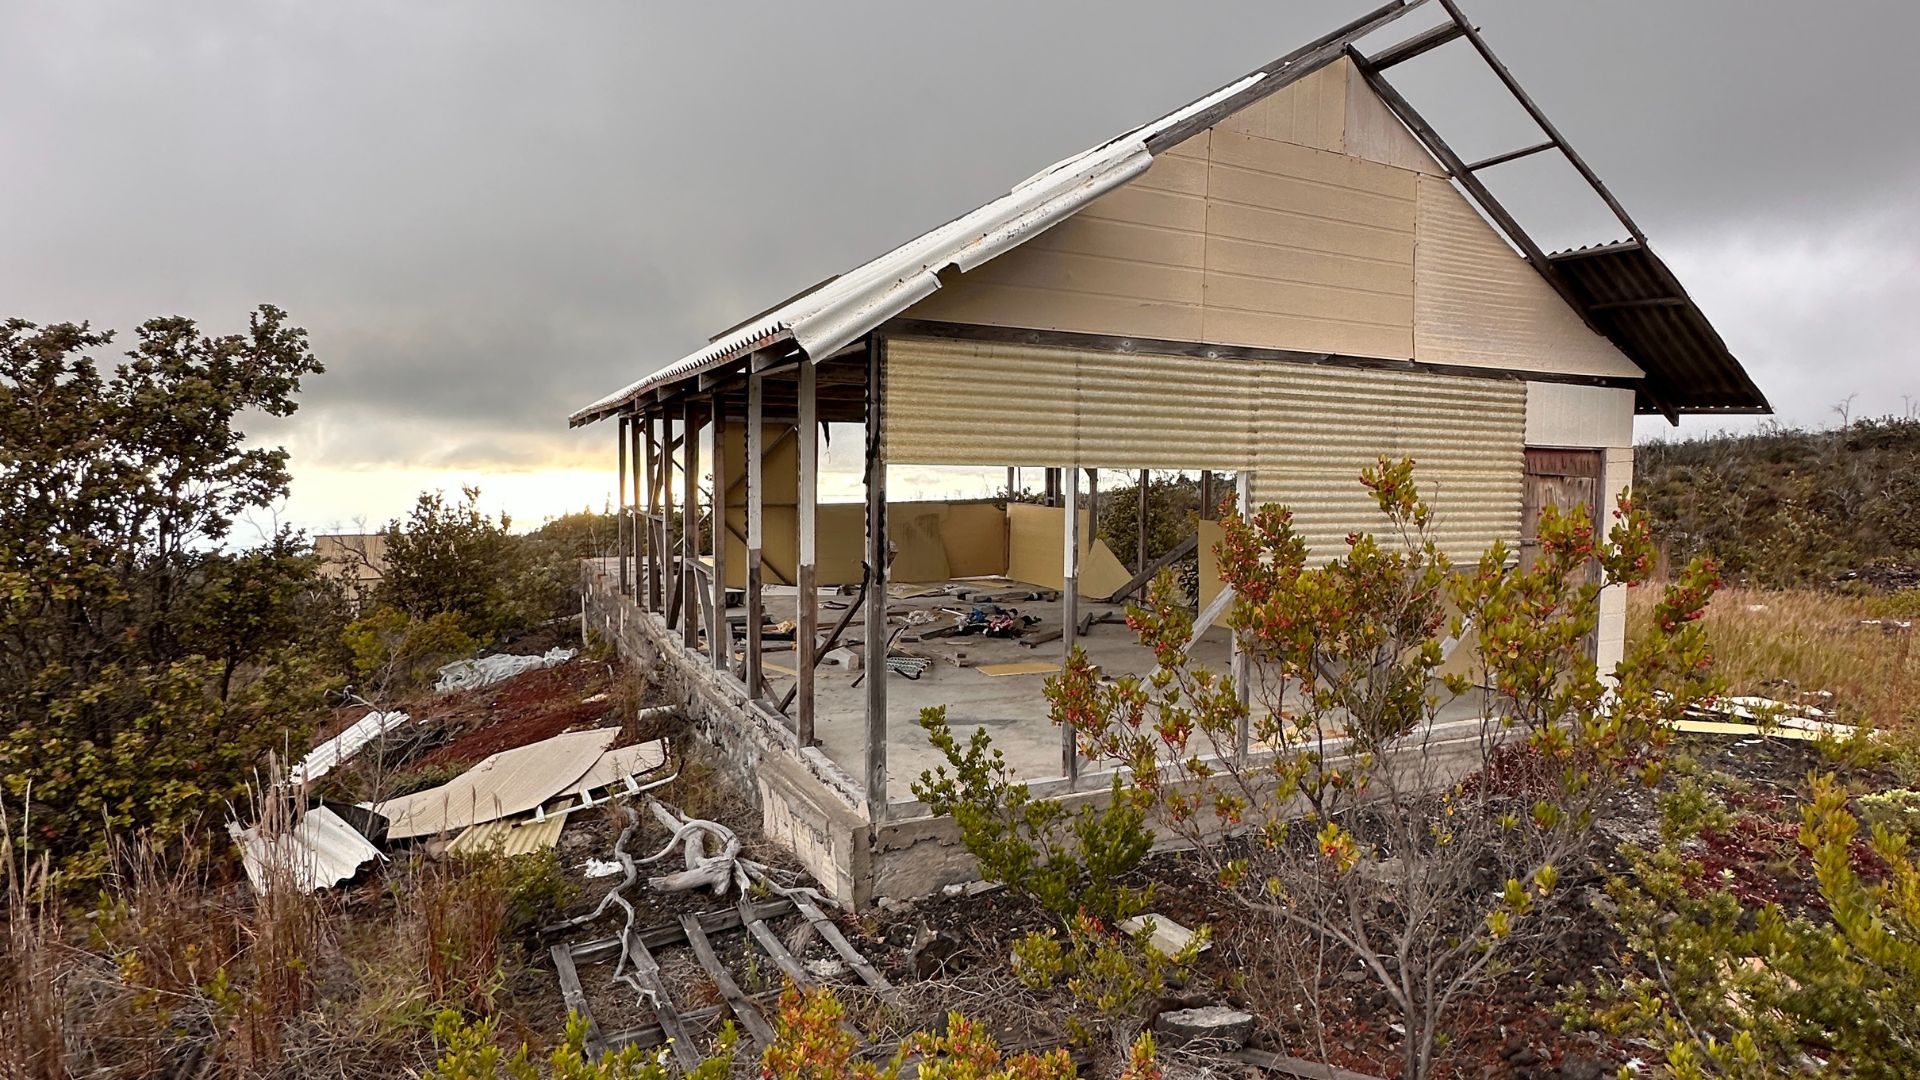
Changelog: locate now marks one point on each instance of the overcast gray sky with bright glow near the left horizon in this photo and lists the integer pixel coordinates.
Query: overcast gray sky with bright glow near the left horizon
(491, 214)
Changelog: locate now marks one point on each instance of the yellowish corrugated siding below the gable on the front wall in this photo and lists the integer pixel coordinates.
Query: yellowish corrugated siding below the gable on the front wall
(1307, 431)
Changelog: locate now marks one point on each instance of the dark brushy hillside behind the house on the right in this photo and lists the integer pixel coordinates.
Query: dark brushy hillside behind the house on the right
(1788, 506)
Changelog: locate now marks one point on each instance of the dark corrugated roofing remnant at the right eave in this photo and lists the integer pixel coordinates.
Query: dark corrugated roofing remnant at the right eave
(1637, 301)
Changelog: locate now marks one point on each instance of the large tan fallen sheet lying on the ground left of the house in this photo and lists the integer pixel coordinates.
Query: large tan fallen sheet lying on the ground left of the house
(506, 785)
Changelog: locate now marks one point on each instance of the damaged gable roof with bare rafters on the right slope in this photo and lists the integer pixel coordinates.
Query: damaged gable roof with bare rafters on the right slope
(1669, 339)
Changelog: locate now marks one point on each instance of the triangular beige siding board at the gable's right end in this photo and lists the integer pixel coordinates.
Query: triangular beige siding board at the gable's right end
(1477, 303)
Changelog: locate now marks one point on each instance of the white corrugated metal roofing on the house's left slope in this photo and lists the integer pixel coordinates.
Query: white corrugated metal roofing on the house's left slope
(840, 310)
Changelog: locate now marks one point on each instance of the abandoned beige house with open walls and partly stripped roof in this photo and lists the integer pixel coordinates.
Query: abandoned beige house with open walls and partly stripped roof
(1262, 291)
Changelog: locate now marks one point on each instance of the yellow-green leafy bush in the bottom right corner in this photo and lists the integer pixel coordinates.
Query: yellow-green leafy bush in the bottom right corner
(1748, 994)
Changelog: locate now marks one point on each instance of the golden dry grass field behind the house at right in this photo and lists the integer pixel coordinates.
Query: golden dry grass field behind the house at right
(1796, 645)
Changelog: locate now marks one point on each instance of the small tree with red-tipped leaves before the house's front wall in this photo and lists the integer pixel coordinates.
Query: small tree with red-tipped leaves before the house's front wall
(1337, 800)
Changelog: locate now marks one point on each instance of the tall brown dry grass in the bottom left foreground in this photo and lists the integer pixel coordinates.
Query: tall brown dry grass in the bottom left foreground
(180, 970)
